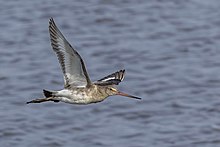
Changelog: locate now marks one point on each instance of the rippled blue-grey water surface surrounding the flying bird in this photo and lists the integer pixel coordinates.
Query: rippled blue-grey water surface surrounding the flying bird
(169, 48)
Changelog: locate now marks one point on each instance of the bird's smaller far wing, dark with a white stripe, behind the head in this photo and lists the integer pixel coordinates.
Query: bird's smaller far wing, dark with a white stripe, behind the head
(112, 79)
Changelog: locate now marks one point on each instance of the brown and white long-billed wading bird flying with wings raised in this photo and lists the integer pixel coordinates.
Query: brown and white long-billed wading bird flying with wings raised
(78, 88)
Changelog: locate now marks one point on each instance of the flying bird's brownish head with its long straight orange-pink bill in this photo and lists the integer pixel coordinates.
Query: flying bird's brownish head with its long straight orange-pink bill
(110, 90)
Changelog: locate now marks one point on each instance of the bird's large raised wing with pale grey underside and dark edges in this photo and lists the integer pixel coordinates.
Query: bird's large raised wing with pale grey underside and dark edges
(72, 65)
